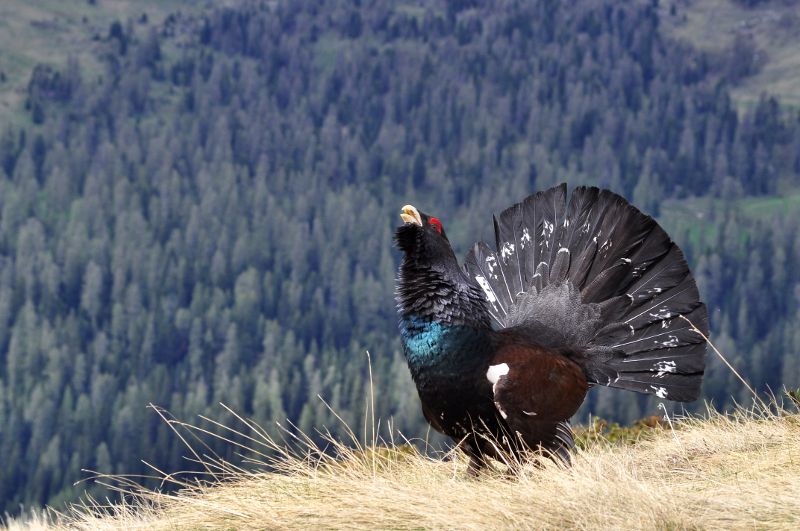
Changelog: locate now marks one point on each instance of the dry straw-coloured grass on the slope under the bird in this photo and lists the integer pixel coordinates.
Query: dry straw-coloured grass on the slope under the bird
(723, 472)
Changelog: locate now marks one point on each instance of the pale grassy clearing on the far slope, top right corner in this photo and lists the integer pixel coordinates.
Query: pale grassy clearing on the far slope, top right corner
(773, 27)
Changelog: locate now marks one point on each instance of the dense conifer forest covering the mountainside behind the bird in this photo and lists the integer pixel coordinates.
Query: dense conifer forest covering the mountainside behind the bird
(214, 224)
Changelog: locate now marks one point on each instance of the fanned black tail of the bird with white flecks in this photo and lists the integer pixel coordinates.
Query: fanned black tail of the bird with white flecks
(619, 260)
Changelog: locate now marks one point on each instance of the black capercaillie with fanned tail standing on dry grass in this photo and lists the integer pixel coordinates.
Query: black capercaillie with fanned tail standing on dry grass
(581, 294)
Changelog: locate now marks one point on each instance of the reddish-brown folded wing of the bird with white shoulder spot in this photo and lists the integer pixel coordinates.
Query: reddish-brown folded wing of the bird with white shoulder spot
(537, 390)
